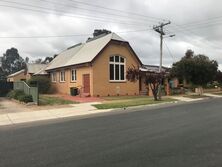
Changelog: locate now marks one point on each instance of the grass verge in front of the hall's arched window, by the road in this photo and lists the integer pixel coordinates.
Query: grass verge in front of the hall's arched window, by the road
(129, 101)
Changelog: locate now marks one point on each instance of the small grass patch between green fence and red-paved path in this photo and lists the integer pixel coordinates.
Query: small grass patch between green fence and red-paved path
(48, 100)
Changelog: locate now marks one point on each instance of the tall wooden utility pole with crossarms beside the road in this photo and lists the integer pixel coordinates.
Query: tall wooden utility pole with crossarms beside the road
(160, 30)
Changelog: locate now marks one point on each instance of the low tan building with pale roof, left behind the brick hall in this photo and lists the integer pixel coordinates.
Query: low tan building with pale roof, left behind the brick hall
(26, 74)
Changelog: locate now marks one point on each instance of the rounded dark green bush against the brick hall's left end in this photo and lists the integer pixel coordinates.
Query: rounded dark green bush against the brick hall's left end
(42, 82)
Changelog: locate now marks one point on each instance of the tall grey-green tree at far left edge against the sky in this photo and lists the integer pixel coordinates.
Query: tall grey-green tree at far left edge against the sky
(11, 62)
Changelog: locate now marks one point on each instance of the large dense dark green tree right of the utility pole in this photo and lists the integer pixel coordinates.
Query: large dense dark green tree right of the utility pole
(195, 69)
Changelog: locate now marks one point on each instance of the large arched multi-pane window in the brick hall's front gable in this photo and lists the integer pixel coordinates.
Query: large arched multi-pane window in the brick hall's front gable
(117, 68)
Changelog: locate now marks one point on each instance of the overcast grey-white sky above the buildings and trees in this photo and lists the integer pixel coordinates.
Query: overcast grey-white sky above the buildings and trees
(41, 28)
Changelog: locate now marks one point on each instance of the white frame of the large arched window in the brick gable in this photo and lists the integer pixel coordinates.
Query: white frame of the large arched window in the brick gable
(114, 66)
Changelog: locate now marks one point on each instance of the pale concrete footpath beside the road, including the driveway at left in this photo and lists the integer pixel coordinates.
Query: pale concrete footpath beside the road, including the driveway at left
(19, 114)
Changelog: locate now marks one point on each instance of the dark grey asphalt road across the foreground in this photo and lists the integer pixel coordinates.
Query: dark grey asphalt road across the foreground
(187, 135)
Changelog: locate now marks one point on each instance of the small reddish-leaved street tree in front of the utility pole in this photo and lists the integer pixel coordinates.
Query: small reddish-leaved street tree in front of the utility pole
(152, 79)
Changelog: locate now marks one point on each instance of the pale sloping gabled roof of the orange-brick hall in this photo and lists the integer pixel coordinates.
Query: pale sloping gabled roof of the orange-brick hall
(83, 52)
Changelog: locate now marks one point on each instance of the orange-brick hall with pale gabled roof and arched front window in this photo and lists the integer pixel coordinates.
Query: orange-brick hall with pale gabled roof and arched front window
(97, 67)
